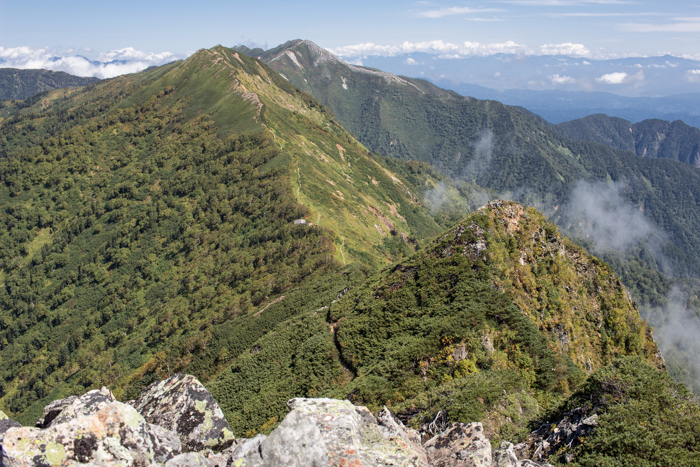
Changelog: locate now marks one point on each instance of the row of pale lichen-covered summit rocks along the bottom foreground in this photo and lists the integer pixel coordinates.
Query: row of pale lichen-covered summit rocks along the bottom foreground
(177, 423)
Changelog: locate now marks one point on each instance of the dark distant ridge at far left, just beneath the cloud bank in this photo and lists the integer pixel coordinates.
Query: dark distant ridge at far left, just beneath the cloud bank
(21, 84)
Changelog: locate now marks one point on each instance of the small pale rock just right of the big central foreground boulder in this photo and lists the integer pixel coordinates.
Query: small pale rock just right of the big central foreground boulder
(462, 445)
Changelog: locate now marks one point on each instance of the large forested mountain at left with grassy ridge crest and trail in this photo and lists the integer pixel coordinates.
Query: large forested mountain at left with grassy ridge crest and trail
(143, 215)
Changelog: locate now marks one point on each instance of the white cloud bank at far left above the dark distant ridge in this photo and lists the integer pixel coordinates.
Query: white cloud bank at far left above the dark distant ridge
(105, 65)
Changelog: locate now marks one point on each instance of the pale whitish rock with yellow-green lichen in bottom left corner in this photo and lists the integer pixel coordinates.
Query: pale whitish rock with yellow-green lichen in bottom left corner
(115, 435)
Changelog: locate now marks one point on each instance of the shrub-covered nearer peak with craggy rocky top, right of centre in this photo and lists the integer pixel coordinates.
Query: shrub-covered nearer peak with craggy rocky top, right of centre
(499, 304)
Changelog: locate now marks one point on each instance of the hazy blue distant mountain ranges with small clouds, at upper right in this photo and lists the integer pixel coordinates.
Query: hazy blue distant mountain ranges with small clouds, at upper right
(562, 88)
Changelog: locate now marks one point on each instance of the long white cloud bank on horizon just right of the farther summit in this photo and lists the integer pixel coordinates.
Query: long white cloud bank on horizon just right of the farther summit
(433, 47)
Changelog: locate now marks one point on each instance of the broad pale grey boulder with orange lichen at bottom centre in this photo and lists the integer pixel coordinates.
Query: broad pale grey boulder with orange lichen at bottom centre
(343, 433)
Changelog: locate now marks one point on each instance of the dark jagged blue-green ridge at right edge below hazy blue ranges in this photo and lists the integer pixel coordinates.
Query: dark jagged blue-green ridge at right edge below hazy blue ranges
(649, 138)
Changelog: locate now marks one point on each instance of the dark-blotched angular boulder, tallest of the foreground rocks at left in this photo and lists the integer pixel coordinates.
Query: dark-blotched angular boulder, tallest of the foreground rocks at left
(182, 404)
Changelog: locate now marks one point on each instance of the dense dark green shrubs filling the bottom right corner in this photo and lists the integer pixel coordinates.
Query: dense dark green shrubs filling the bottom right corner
(645, 419)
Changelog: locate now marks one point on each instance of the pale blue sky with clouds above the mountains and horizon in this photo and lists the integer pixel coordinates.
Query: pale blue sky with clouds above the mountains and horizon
(129, 35)
